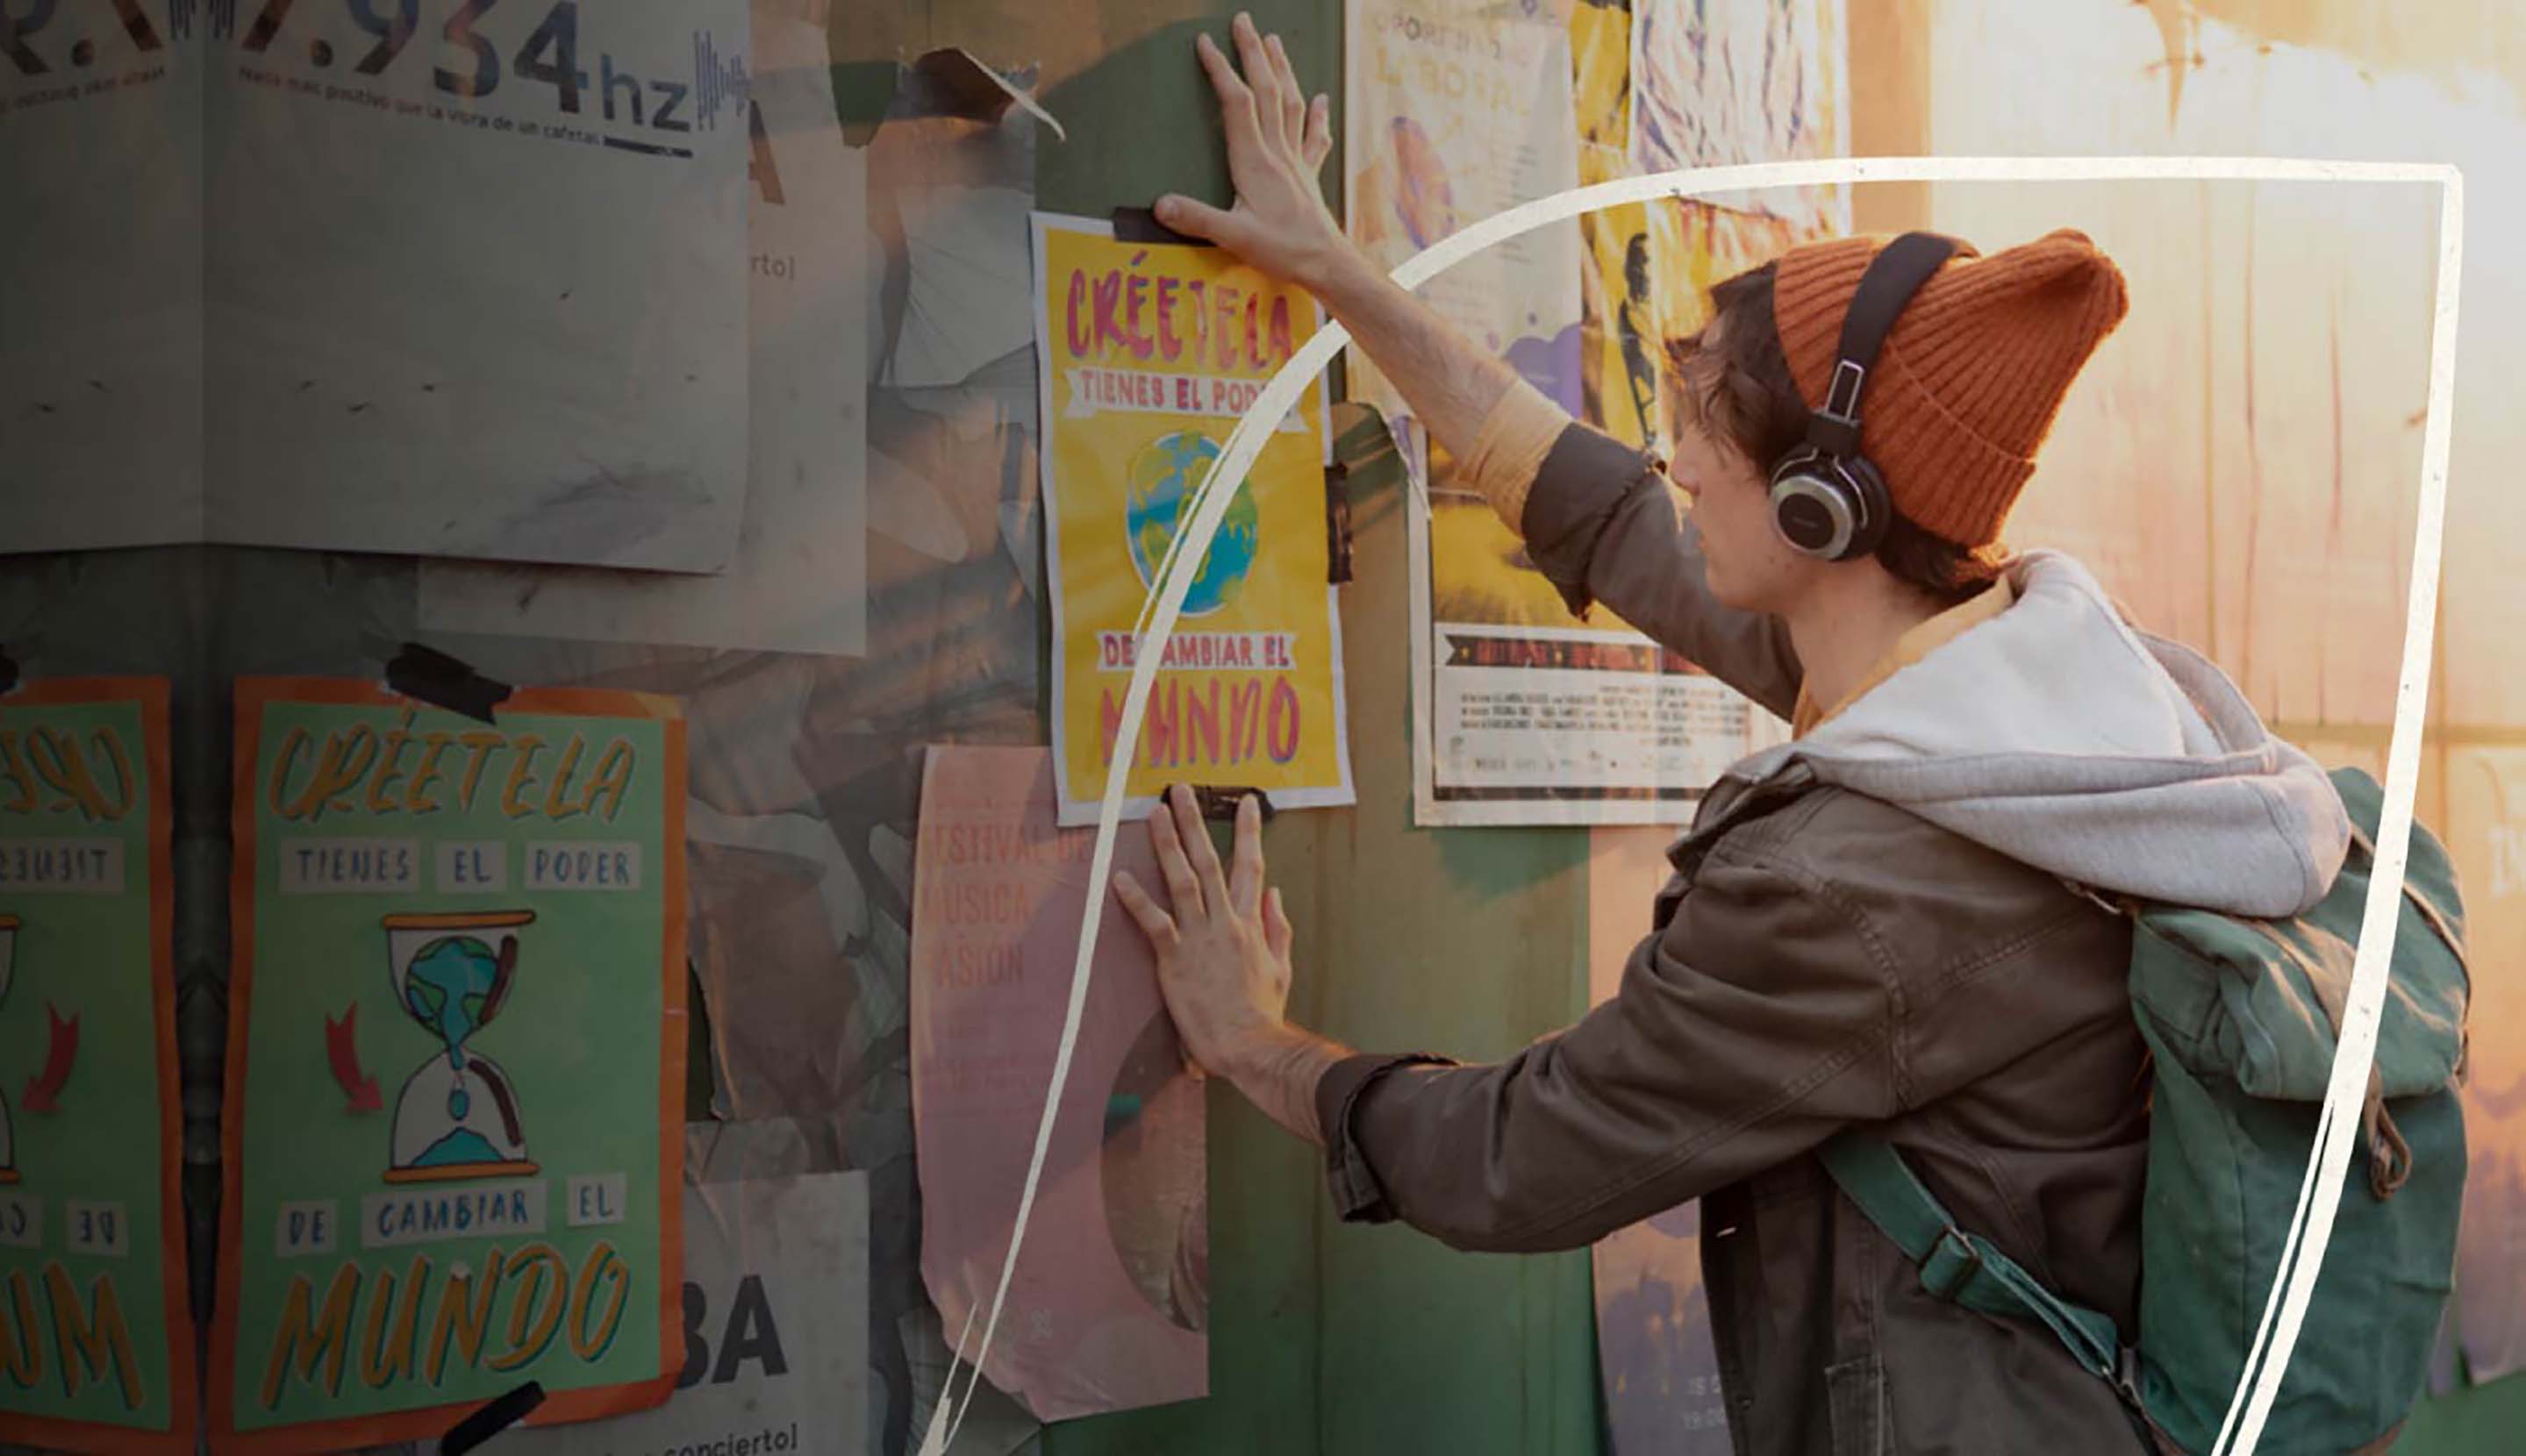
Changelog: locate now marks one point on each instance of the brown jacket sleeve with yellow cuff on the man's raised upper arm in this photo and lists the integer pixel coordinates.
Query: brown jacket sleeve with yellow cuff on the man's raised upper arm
(1603, 524)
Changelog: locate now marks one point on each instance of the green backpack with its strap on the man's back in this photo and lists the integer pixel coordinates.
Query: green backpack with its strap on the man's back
(2242, 1018)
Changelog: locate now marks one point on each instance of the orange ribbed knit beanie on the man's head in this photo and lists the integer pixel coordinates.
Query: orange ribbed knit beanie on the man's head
(1972, 375)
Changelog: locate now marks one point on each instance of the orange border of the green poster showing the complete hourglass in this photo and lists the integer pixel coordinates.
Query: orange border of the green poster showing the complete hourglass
(431, 1422)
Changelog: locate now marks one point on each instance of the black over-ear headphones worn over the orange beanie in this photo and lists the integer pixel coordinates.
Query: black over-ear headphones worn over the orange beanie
(1828, 498)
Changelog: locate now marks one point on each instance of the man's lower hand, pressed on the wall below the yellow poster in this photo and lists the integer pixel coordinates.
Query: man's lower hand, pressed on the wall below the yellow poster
(1221, 937)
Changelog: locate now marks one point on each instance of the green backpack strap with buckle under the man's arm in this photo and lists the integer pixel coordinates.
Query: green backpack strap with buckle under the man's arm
(1964, 1268)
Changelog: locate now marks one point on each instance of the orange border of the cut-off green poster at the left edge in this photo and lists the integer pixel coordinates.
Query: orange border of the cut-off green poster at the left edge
(176, 1273)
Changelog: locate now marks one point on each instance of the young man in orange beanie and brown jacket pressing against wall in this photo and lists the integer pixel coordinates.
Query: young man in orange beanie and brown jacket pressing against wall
(1878, 925)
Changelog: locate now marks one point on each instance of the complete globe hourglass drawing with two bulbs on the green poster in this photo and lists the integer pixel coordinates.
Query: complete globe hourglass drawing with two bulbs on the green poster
(458, 1114)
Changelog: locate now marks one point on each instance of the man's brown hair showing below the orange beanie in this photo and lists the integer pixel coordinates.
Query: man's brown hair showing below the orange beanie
(1742, 390)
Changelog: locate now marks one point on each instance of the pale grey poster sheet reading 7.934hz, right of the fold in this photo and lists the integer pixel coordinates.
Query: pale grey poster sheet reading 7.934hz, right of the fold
(479, 279)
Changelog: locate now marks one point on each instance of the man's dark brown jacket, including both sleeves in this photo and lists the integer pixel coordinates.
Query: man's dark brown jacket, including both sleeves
(1820, 960)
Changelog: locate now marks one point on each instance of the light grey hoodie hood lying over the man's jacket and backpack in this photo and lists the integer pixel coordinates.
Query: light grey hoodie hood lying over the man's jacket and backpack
(2070, 743)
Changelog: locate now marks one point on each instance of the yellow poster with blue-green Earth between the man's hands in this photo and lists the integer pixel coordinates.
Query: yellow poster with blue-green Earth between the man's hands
(1148, 357)
